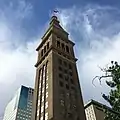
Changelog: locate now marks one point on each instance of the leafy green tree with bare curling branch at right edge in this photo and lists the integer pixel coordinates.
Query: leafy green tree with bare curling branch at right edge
(112, 78)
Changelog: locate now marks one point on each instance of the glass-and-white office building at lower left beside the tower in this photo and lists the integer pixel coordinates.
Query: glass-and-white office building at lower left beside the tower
(20, 107)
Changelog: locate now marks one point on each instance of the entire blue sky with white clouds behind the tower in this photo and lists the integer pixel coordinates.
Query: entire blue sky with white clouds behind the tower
(92, 24)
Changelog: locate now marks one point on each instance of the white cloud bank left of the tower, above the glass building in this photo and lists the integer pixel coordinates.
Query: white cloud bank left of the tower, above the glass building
(17, 57)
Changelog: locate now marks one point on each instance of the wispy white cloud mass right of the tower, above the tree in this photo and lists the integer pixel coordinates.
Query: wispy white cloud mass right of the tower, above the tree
(95, 30)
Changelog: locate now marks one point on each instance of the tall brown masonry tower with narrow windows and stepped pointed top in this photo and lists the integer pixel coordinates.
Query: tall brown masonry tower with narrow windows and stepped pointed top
(57, 92)
